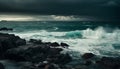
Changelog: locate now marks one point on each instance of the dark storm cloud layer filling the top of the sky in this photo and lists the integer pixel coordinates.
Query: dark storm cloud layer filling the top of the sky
(103, 9)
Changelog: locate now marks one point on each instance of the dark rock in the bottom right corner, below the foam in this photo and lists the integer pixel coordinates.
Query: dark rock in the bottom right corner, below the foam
(109, 62)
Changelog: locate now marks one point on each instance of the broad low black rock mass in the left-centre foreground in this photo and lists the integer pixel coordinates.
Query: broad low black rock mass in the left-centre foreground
(38, 53)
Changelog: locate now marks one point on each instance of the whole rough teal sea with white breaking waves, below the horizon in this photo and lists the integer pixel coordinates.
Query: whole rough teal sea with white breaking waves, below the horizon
(98, 38)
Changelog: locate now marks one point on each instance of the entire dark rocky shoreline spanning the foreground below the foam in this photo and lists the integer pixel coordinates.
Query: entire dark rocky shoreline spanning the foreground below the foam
(35, 54)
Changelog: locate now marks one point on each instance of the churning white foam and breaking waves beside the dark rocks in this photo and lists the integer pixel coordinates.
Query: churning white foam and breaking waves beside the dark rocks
(97, 41)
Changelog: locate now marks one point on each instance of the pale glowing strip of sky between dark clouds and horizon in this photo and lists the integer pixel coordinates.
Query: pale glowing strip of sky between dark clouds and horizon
(41, 18)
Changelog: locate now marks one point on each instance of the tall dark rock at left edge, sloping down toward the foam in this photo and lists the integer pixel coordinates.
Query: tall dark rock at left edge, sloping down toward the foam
(8, 41)
